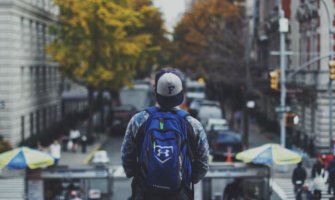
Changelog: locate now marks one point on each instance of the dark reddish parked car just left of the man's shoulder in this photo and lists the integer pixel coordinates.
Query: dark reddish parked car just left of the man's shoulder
(121, 116)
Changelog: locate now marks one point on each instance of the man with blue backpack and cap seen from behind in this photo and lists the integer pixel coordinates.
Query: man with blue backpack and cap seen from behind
(165, 150)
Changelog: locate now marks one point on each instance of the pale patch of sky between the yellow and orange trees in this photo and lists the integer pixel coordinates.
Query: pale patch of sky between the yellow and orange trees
(172, 10)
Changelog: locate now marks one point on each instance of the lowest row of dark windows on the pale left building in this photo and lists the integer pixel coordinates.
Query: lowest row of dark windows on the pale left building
(39, 120)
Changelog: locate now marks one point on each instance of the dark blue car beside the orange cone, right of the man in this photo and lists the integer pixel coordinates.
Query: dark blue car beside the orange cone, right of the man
(224, 144)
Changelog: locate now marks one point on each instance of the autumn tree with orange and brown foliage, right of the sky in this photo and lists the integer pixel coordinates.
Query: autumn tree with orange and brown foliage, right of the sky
(210, 40)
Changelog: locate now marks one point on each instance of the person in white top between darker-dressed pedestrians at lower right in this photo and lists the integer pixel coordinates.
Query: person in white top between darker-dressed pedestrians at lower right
(318, 172)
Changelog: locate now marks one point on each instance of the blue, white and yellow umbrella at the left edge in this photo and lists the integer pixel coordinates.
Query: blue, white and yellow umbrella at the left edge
(24, 157)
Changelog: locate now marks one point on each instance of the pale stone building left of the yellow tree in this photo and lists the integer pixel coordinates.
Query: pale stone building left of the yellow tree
(29, 81)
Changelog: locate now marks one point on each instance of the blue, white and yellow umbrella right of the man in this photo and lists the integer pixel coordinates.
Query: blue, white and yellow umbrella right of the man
(269, 154)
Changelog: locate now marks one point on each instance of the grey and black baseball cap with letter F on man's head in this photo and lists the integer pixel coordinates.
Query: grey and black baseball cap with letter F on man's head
(169, 88)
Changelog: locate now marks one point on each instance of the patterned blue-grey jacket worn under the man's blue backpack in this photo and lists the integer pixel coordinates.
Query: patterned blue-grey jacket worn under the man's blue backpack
(129, 153)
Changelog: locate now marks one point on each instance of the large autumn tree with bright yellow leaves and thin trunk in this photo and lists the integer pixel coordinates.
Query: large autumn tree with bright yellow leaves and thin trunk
(101, 44)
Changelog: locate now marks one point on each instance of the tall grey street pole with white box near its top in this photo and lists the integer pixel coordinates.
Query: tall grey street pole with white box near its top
(283, 28)
